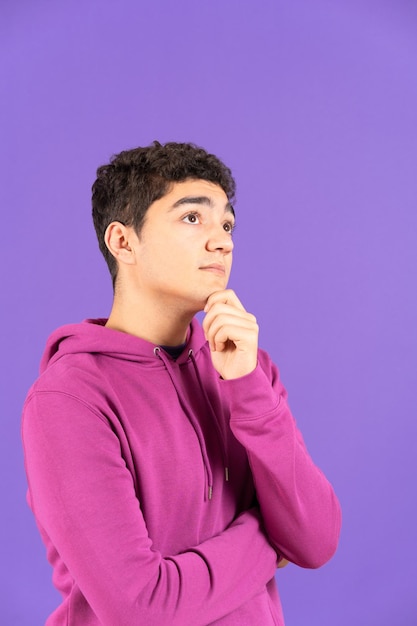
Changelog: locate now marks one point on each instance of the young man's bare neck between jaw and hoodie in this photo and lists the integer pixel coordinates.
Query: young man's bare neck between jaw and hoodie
(158, 323)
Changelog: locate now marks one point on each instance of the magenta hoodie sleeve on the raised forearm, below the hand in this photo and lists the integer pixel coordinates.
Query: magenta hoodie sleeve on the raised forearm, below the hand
(300, 511)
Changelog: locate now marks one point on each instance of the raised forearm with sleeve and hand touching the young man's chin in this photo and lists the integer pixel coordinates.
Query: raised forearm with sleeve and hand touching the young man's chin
(298, 505)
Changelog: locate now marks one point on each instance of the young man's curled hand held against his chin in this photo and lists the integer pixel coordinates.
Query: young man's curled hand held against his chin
(232, 334)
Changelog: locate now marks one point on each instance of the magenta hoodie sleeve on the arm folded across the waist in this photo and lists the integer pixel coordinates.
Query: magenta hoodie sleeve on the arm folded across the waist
(83, 498)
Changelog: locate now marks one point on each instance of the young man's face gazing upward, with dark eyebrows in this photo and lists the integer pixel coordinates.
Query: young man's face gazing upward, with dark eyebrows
(184, 249)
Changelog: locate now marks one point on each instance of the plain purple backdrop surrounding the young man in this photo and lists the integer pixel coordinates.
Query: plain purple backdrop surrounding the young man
(314, 107)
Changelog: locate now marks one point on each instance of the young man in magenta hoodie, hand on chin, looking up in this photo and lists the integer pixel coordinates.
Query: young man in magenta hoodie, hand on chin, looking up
(165, 470)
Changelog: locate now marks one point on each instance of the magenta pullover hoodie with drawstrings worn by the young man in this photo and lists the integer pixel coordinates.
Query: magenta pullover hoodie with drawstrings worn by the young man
(163, 493)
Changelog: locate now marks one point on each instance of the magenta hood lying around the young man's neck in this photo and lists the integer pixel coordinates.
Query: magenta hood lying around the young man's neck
(92, 336)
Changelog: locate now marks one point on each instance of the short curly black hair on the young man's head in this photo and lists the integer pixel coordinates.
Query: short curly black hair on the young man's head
(134, 179)
